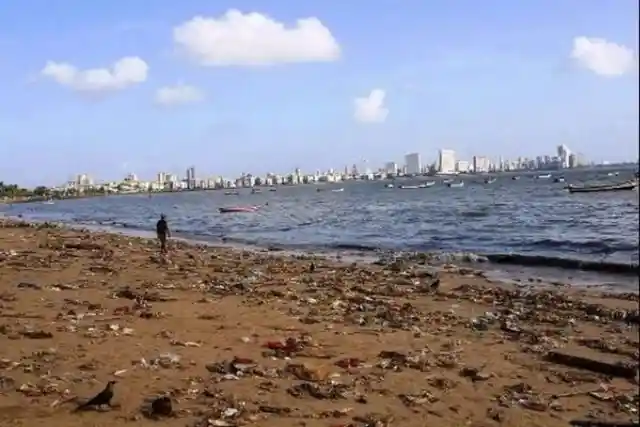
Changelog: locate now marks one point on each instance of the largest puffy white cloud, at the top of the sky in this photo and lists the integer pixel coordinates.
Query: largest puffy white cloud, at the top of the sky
(254, 39)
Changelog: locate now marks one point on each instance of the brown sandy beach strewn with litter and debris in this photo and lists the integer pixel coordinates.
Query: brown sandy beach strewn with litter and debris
(239, 338)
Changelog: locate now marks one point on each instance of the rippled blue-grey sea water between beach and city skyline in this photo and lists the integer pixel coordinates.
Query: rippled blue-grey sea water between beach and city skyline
(533, 221)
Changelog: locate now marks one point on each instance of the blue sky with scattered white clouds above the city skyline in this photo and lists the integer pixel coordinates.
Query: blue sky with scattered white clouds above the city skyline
(108, 87)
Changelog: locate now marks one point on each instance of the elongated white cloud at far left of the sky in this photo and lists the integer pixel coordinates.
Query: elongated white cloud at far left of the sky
(123, 73)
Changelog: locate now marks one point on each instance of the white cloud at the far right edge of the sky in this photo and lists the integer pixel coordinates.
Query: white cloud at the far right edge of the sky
(603, 57)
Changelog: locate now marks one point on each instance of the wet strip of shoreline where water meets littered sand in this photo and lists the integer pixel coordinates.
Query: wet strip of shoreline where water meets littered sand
(508, 268)
